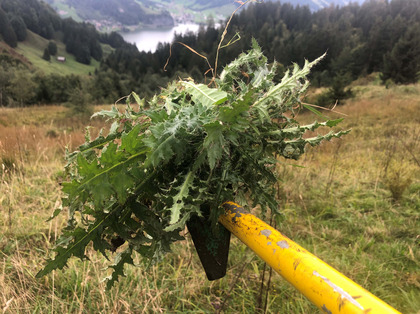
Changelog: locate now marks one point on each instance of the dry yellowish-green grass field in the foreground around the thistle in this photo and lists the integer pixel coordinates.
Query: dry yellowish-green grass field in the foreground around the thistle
(344, 206)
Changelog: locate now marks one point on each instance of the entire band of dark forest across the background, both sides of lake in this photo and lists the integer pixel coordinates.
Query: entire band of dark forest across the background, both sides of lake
(375, 37)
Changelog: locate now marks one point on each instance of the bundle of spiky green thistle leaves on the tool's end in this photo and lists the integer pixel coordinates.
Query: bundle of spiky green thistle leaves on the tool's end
(192, 147)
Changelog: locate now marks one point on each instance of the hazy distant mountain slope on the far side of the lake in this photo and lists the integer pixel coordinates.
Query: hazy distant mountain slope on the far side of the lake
(108, 15)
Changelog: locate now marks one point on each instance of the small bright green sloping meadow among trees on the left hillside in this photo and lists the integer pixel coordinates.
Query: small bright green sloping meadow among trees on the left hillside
(33, 48)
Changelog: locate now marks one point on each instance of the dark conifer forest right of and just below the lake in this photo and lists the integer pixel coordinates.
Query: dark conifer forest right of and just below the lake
(359, 40)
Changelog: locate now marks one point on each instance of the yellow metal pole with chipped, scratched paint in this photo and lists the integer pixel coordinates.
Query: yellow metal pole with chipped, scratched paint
(324, 286)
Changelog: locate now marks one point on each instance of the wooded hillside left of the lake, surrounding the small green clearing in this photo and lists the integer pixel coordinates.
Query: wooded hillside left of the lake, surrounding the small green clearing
(30, 23)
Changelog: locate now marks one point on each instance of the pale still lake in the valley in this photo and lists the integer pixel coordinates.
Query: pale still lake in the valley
(148, 39)
